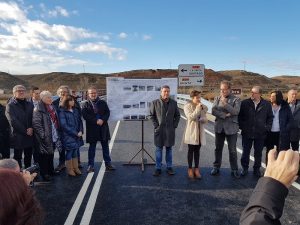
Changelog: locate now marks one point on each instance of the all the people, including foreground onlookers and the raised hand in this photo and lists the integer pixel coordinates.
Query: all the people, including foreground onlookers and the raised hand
(37, 126)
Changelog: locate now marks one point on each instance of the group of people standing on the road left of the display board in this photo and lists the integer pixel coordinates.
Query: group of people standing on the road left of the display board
(38, 126)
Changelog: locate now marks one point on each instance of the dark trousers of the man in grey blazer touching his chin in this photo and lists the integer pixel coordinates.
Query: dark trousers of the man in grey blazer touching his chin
(219, 141)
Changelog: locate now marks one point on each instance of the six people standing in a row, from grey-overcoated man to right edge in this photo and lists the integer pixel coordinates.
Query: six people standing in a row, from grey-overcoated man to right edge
(274, 124)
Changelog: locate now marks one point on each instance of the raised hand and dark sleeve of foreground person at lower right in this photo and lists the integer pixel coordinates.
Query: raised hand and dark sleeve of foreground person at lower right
(266, 203)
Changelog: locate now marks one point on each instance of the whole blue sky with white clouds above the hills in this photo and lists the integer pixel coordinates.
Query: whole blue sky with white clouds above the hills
(119, 35)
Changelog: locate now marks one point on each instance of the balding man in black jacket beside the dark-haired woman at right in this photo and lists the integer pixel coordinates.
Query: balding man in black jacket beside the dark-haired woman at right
(255, 120)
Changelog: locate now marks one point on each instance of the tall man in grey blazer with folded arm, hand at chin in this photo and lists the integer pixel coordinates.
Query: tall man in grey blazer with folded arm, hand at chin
(226, 109)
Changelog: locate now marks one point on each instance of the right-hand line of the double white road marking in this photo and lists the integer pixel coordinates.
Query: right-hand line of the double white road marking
(93, 197)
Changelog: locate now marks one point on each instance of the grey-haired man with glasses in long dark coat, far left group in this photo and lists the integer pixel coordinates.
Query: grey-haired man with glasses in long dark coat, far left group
(19, 114)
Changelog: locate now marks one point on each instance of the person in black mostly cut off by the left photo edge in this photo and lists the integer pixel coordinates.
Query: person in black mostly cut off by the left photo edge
(4, 134)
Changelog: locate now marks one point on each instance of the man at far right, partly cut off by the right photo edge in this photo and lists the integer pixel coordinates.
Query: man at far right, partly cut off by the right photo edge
(295, 128)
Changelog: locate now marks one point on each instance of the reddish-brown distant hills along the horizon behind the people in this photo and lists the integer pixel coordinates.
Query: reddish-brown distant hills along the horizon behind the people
(81, 81)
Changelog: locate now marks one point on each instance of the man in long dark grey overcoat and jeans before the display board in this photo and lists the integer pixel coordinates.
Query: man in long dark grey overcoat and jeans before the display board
(165, 117)
